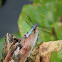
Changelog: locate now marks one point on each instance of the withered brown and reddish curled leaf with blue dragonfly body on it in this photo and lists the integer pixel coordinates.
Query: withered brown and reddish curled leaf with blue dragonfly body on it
(18, 50)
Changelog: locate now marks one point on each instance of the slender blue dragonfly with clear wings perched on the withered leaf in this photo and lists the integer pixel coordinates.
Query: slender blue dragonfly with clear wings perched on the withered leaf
(42, 28)
